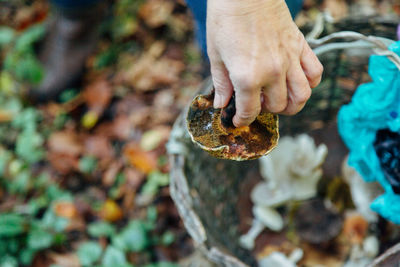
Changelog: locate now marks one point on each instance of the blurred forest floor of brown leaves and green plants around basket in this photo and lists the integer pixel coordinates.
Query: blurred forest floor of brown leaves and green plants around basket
(84, 179)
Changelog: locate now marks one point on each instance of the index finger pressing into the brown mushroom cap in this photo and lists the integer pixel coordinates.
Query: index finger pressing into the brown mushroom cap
(247, 100)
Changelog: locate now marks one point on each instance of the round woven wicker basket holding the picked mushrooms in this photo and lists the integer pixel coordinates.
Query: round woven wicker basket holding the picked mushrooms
(206, 190)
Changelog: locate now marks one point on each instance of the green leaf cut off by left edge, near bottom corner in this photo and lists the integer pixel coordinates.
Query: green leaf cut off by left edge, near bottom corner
(11, 225)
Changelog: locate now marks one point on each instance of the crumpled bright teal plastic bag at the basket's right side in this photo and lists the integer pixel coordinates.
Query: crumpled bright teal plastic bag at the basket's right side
(374, 106)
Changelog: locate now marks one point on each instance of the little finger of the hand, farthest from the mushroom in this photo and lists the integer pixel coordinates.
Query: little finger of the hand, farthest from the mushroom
(311, 66)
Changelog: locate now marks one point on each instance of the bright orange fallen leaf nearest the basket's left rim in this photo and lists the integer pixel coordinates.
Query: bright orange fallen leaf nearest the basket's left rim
(143, 161)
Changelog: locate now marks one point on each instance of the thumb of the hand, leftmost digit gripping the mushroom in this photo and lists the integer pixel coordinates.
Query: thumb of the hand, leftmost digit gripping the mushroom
(222, 84)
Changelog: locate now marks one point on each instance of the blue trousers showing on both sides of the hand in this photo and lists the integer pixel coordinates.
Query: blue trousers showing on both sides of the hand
(199, 11)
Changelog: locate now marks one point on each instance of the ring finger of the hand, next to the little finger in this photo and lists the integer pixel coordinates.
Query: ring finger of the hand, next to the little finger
(298, 91)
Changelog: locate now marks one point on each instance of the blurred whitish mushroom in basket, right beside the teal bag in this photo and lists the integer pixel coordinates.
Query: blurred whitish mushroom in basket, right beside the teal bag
(362, 193)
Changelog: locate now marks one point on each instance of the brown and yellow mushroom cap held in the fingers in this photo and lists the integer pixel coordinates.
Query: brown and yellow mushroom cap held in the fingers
(210, 130)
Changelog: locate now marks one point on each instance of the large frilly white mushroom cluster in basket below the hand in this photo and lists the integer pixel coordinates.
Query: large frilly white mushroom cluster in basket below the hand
(294, 166)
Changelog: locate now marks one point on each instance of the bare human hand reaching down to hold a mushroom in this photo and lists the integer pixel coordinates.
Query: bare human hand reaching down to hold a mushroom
(258, 52)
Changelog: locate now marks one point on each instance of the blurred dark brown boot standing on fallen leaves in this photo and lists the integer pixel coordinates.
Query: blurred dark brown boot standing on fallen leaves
(72, 36)
